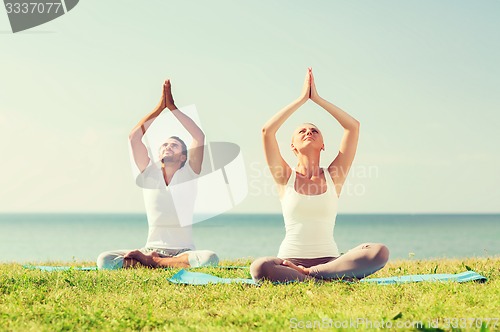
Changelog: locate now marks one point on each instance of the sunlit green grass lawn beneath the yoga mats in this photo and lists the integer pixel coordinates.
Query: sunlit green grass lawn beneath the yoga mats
(143, 299)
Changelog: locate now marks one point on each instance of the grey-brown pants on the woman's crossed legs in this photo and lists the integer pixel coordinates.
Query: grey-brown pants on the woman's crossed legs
(357, 263)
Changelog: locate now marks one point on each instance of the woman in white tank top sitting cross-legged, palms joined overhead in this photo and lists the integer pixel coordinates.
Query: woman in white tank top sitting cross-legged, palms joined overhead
(309, 195)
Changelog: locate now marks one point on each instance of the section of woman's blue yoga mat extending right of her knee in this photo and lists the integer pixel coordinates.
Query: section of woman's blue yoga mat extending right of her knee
(460, 277)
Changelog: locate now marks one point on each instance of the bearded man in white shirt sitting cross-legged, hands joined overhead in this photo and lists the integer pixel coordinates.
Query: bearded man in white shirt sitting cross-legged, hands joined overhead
(165, 183)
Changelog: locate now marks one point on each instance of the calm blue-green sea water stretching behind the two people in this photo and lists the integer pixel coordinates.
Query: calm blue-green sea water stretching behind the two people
(81, 237)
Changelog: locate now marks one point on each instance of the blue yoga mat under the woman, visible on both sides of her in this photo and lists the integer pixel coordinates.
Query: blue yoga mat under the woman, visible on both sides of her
(197, 278)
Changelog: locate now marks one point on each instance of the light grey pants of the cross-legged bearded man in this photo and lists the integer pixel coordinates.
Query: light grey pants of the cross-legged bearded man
(113, 260)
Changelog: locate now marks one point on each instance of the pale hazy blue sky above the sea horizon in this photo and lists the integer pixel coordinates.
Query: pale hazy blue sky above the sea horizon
(423, 78)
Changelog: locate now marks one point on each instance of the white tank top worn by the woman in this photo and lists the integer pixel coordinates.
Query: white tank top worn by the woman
(309, 221)
